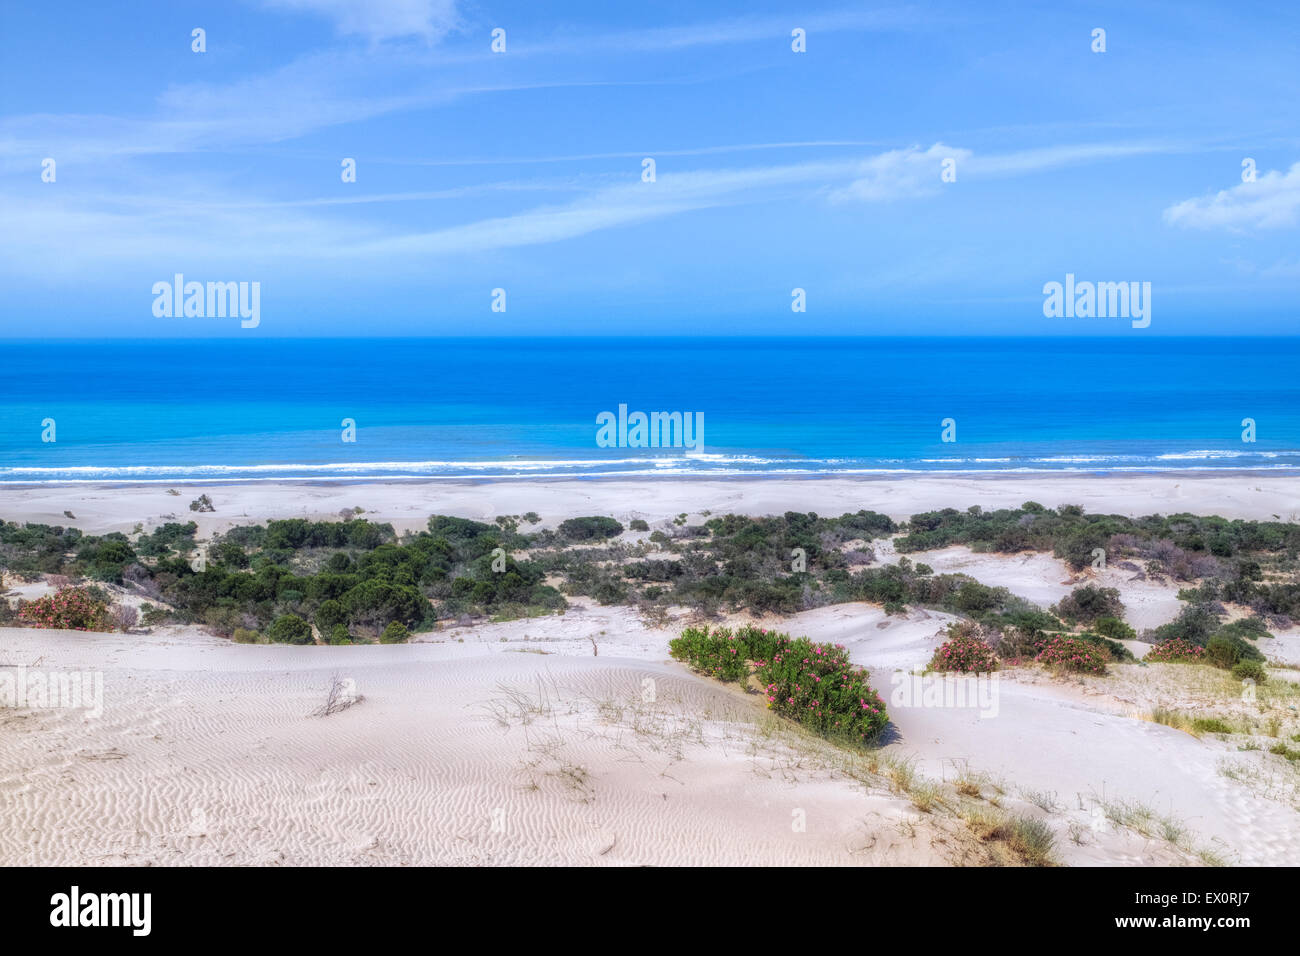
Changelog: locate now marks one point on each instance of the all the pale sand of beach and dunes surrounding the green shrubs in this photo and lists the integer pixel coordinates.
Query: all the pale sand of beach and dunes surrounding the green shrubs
(577, 739)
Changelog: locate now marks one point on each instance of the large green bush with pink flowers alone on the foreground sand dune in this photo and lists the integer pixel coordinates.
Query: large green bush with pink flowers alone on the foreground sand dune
(807, 682)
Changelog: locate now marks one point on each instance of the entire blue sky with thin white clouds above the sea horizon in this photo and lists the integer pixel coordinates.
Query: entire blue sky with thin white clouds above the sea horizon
(523, 170)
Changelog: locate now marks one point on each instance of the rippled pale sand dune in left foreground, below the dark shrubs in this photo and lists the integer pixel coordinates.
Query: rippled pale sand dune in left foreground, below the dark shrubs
(207, 754)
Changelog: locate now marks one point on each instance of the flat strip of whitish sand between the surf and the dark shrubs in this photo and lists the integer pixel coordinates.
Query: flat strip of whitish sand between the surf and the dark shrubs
(409, 504)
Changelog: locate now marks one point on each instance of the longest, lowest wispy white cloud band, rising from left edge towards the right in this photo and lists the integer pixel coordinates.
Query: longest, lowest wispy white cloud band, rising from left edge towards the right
(103, 230)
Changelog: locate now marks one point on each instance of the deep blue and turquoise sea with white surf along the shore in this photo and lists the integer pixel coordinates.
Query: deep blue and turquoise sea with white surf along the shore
(272, 409)
